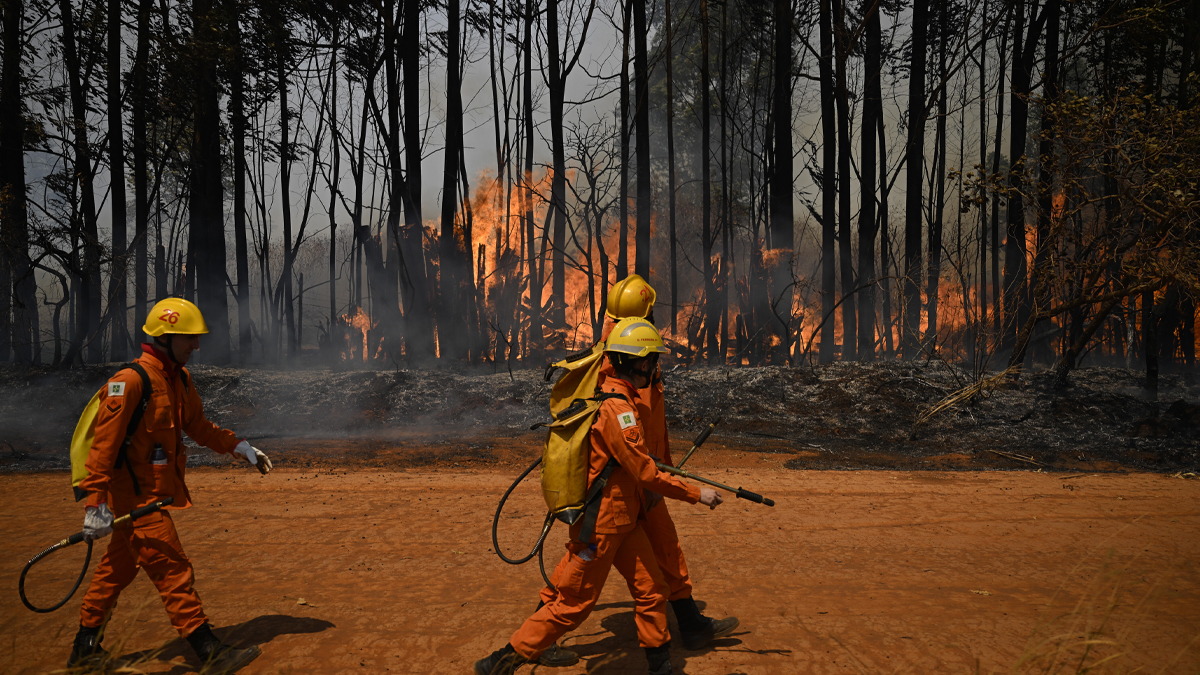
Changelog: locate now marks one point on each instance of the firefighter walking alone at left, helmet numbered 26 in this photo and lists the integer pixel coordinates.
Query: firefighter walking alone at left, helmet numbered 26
(153, 469)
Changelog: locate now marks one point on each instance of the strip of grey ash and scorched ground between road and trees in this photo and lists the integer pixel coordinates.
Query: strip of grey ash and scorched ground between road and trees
(843, 416)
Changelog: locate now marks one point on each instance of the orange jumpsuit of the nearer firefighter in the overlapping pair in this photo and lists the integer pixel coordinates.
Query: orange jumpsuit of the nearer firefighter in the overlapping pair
(620, 540)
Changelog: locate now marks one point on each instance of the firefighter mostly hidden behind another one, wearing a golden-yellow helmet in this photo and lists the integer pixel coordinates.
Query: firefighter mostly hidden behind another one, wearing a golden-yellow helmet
(633, 297)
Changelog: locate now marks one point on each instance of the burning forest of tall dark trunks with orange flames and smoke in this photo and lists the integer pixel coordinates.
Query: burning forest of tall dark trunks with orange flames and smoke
(1052, 224)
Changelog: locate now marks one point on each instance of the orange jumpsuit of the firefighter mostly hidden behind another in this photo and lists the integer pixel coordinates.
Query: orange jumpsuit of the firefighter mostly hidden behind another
(657, 521)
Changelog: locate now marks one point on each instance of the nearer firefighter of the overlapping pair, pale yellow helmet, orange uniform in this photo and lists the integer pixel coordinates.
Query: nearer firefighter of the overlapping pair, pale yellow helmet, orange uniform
(617, 539)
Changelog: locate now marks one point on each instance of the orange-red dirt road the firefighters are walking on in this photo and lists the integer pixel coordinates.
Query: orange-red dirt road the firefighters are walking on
(851, 572)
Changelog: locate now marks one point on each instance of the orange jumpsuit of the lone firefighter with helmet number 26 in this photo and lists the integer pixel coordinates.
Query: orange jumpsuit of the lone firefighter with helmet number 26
(152, 542)
